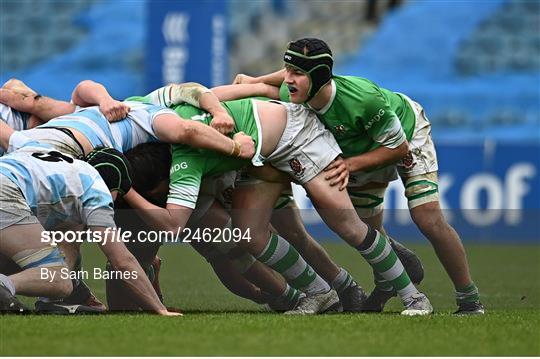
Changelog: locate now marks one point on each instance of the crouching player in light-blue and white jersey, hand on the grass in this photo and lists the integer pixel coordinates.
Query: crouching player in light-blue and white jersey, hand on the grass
(42, 189)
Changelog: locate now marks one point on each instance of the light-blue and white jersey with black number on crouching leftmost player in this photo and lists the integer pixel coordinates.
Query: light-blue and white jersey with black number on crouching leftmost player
(58, 188)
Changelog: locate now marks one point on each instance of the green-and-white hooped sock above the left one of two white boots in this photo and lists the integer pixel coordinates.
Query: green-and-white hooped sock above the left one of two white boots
(284, 259)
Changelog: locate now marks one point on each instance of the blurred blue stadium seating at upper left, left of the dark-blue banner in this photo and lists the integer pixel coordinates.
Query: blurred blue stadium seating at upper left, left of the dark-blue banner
(75, 42)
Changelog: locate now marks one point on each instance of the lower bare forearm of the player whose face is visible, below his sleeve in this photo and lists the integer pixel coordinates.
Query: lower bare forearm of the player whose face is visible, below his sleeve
(379, 157)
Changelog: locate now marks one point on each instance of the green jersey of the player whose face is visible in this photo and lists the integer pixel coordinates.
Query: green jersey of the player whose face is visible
(363, 116)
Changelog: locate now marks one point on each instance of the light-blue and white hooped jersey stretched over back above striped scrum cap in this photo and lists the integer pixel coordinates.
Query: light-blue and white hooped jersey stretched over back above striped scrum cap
(122, 135)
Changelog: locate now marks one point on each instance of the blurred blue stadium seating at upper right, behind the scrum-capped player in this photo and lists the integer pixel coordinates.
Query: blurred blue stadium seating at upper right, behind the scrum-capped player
(474, 67)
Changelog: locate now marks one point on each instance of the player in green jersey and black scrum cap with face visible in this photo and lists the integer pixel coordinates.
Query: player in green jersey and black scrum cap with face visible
(376, 128)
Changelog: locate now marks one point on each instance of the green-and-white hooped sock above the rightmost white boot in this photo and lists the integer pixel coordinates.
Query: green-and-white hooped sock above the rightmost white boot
(377, 251)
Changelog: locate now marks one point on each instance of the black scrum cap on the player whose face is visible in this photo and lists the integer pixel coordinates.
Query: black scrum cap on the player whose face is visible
(314, 57)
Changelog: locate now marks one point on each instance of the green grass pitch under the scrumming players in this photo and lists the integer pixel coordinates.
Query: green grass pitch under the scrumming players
(218, 323)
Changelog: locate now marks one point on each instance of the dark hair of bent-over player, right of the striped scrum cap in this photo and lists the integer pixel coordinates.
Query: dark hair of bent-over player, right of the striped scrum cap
(151, 163)
